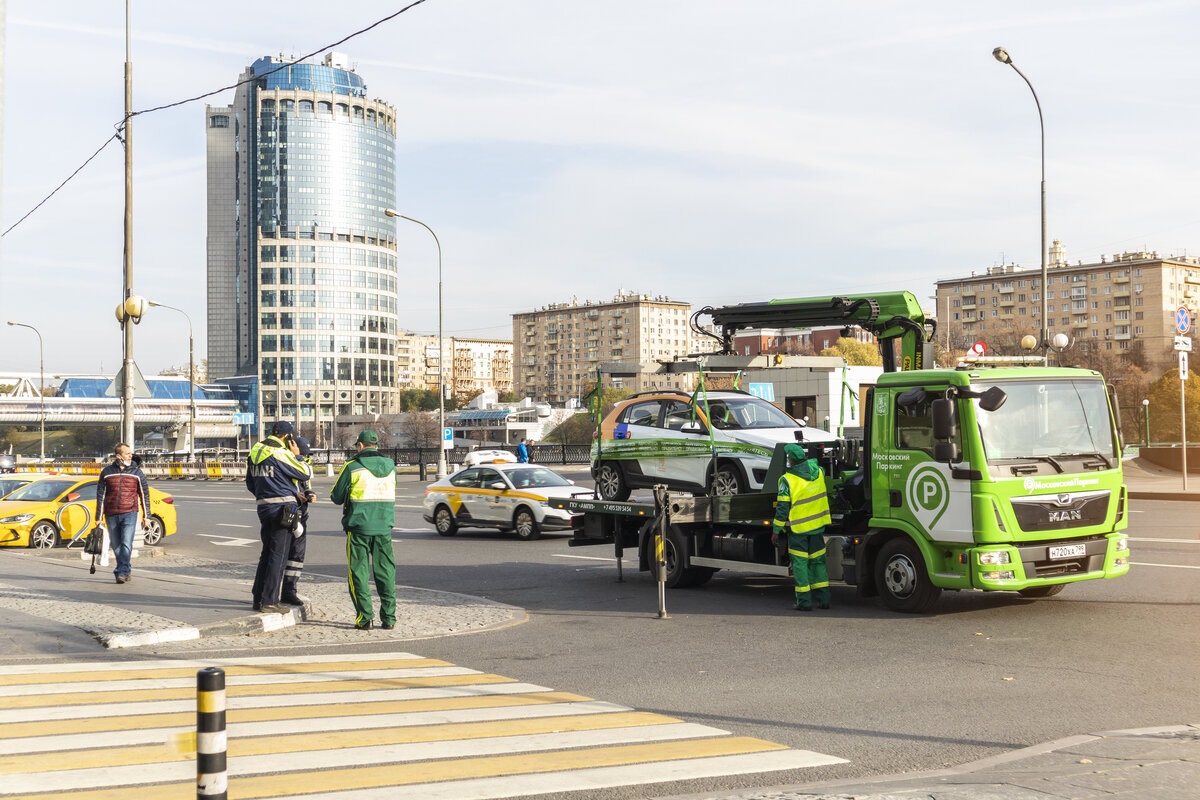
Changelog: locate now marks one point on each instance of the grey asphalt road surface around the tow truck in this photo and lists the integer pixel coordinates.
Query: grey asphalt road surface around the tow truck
(891, 693)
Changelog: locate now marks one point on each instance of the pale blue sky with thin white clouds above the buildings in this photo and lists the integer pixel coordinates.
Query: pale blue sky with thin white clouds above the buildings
(716, 153)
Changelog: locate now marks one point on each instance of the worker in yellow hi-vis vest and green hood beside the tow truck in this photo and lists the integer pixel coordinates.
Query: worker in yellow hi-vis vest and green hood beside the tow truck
(802, 509)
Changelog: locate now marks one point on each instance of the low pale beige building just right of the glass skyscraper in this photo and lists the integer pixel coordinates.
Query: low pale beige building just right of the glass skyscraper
(475, 364)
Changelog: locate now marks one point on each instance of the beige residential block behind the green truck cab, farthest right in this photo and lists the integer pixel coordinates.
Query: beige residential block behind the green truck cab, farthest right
(1120, 304)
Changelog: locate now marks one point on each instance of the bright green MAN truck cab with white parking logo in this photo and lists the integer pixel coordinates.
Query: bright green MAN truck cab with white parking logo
(994, 479)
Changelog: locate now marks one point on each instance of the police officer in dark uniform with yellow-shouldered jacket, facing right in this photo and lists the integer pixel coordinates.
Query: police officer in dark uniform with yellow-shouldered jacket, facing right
(273, 476)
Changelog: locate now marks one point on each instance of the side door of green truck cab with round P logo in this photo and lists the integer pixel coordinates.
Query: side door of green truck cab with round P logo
(921, 490)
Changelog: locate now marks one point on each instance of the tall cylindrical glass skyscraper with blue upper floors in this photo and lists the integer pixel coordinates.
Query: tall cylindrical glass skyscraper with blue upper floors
(302, 258)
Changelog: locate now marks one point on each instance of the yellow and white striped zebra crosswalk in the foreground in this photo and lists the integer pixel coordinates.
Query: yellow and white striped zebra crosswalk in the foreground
(339, 727)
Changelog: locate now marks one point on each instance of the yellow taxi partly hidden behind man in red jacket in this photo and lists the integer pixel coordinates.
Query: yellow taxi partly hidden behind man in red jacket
(52, 509)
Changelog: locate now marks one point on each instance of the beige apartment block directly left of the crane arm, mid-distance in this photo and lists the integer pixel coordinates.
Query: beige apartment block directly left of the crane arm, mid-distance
(559, 348)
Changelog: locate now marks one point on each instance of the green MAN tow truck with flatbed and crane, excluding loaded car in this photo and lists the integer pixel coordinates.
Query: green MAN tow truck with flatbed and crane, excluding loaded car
(987, 477)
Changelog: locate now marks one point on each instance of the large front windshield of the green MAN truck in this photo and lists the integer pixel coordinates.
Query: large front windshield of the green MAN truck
(1048, 420)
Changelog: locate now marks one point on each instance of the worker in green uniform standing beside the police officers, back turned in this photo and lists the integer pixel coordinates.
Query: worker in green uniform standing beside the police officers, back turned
(367, 491)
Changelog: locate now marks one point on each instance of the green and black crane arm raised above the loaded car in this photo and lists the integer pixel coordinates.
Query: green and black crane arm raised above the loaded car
(889, 316)
